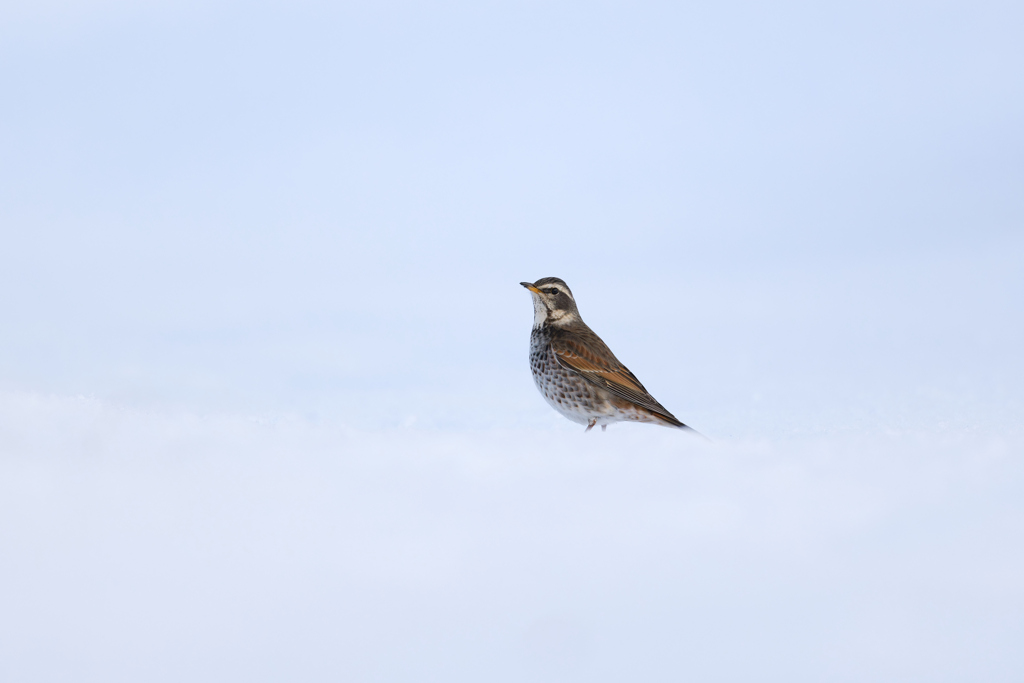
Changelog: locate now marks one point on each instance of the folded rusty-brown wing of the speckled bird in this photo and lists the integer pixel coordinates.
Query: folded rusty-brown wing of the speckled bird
(586, 355)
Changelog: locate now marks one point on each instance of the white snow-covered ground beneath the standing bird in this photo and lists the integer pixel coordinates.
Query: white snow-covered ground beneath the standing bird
(160, 547)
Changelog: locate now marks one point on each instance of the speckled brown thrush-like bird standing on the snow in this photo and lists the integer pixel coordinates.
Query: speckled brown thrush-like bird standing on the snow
(576, 371)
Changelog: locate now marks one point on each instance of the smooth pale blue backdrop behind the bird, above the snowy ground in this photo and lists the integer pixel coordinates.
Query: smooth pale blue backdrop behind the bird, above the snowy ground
(259, 206)
